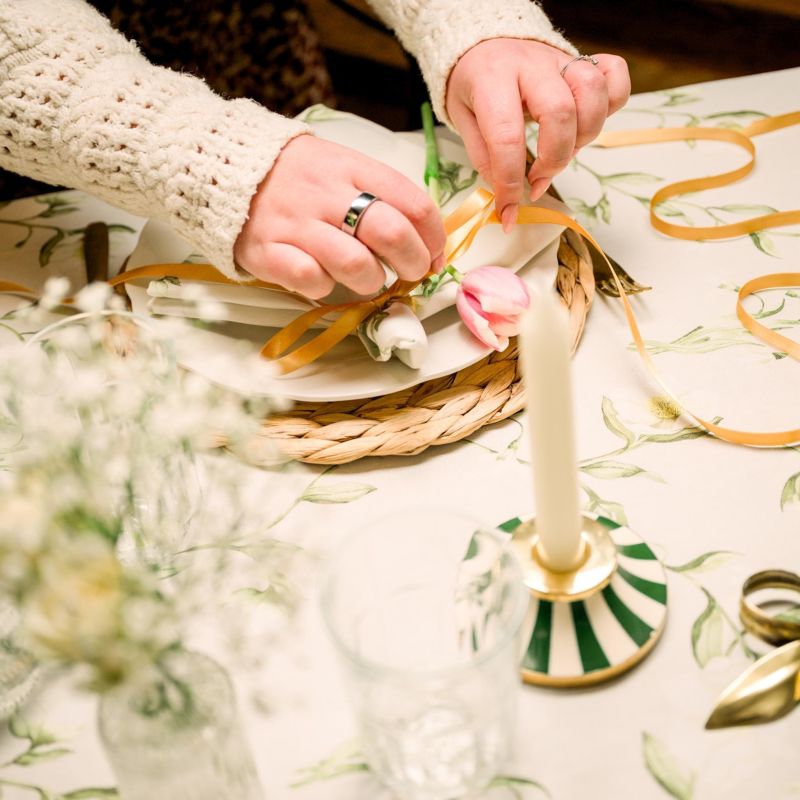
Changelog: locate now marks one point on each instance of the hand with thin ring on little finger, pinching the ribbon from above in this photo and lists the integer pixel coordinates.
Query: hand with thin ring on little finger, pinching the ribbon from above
(496, 82)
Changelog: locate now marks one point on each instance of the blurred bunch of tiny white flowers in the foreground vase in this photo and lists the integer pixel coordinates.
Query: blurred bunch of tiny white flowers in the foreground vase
(113, 489)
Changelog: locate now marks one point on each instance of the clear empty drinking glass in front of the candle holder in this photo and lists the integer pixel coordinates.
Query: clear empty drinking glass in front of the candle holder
(424, 607)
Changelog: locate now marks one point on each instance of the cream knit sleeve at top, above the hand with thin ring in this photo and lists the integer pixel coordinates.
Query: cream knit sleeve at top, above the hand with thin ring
(439, 32)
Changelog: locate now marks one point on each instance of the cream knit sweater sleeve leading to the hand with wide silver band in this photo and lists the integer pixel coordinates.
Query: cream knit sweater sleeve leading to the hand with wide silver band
(80, 106)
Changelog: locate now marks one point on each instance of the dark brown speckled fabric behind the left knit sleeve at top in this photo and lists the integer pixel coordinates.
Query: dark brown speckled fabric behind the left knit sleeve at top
(268, 51)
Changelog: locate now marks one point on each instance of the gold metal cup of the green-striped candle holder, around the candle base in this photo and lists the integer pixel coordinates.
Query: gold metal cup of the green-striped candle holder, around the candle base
(594, 571)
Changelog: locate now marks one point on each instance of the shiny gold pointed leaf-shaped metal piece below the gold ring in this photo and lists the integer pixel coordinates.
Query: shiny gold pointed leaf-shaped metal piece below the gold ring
(766, 691)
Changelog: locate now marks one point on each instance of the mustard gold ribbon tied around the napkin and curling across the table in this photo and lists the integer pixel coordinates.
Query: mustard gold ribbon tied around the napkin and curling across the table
(477, 211)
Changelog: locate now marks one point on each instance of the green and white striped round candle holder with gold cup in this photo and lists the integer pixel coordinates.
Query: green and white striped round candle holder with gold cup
(593, 624)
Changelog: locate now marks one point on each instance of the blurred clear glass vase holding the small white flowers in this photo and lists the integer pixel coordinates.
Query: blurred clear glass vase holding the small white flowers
(175, 734)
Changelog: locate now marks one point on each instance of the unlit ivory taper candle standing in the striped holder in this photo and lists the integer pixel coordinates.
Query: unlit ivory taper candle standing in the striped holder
(545, 355)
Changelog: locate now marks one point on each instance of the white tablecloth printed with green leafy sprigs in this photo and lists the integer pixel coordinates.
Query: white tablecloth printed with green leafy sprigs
(713, 512)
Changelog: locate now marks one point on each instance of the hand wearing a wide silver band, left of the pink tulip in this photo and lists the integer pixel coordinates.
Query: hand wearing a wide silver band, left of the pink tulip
(294, 237)
